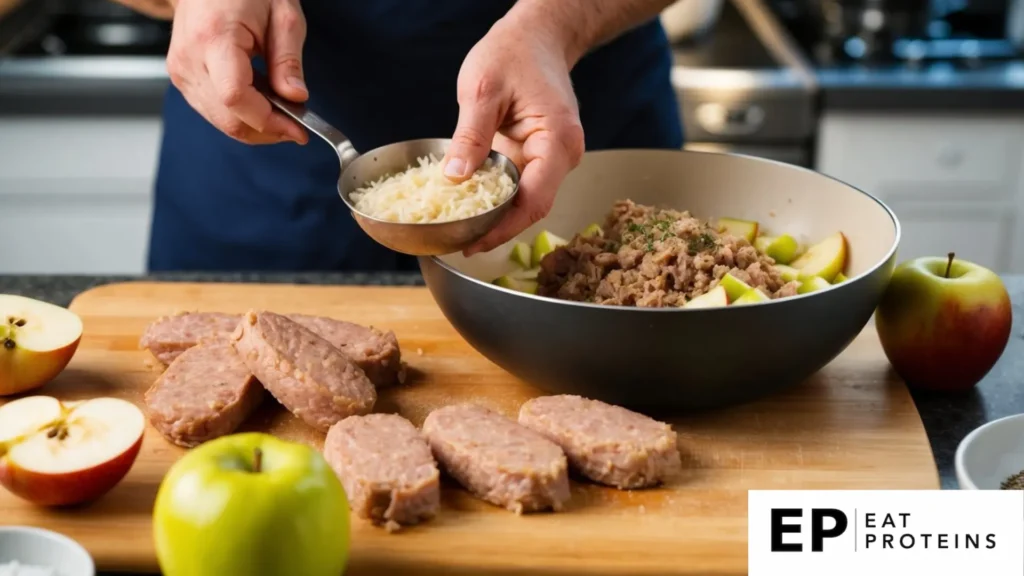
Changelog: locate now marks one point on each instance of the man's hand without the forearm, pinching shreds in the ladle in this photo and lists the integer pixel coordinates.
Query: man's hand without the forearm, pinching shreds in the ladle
(516, 97)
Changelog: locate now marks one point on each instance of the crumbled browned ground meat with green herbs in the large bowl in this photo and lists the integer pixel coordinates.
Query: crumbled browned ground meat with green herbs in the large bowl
(655, 258)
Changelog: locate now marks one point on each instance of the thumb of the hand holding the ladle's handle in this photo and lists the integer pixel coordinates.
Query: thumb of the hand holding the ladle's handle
(286, 35)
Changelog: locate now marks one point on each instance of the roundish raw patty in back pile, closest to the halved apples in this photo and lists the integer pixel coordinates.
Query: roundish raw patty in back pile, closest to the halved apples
(206, 393)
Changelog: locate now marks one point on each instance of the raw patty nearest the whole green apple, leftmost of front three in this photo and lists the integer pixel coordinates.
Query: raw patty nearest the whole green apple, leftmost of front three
(387, 468)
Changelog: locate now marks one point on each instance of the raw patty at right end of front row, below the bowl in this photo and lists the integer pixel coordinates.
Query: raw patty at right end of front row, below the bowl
(608, 444)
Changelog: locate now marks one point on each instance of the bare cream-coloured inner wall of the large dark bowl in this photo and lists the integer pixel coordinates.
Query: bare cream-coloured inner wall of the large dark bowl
(783, 198)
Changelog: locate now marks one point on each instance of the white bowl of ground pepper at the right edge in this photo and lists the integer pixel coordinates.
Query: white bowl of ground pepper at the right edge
(991, 455)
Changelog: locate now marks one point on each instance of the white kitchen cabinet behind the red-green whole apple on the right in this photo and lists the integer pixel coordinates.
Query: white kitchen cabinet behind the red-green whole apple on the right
(955, 182)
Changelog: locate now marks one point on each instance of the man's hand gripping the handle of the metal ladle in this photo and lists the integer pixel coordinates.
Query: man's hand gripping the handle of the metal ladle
(210, 62)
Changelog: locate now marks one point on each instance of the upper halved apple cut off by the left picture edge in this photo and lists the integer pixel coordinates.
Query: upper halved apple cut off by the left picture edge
(37, 342)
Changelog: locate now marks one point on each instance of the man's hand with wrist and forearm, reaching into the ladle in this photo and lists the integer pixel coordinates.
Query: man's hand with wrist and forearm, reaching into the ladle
(516, 97)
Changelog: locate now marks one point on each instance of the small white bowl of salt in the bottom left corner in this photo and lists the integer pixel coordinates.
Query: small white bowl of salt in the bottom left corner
(38, 548)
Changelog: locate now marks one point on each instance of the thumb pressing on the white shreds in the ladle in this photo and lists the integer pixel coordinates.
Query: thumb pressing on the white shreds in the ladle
(480, 118)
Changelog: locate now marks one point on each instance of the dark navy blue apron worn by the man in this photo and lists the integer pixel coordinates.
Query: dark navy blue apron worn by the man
(381, 72)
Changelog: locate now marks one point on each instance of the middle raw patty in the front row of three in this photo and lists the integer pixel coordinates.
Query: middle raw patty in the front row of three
(497, 460)
